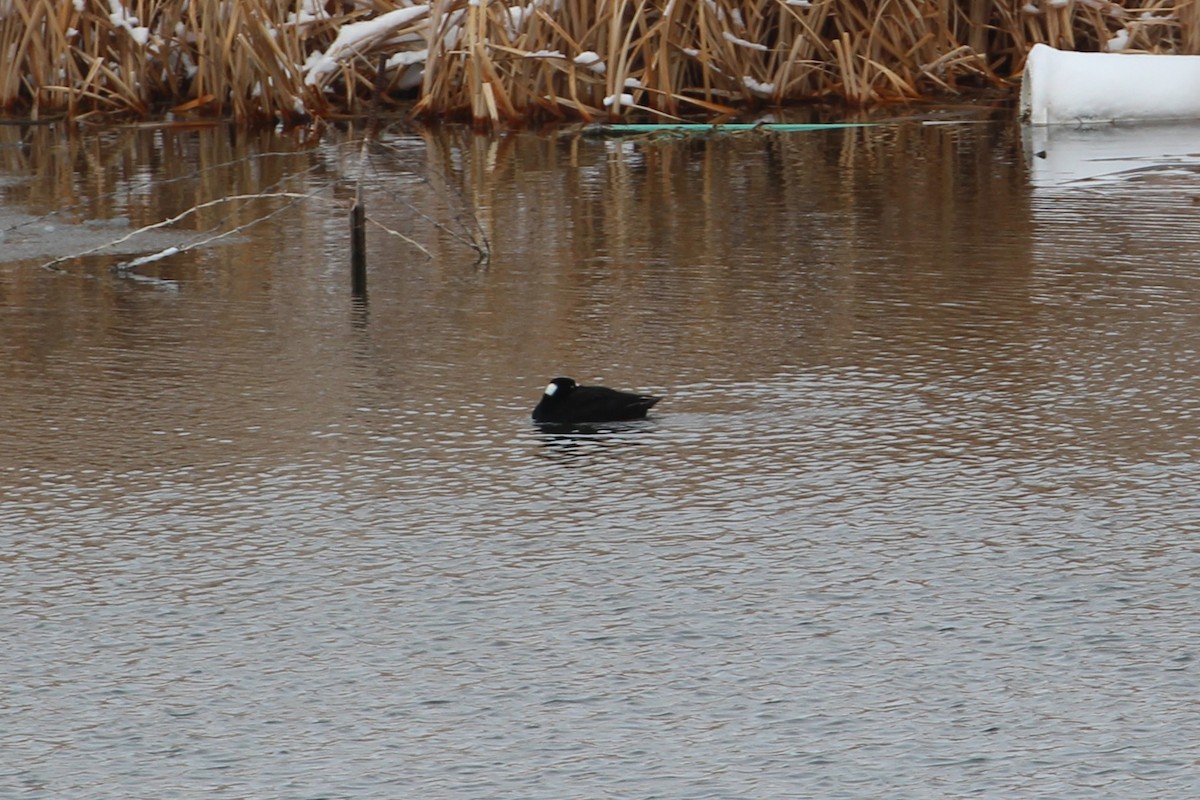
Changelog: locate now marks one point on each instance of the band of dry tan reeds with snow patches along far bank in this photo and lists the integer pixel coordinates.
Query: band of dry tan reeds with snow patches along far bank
(514, 61)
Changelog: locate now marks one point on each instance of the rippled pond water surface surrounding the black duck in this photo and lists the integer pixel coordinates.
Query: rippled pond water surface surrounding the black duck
(916, 520)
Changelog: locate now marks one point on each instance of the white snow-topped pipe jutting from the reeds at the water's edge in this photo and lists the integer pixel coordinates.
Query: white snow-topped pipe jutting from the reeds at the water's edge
(1061, 87)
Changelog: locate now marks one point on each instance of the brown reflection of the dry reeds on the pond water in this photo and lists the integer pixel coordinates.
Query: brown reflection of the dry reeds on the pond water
(650, 263)
